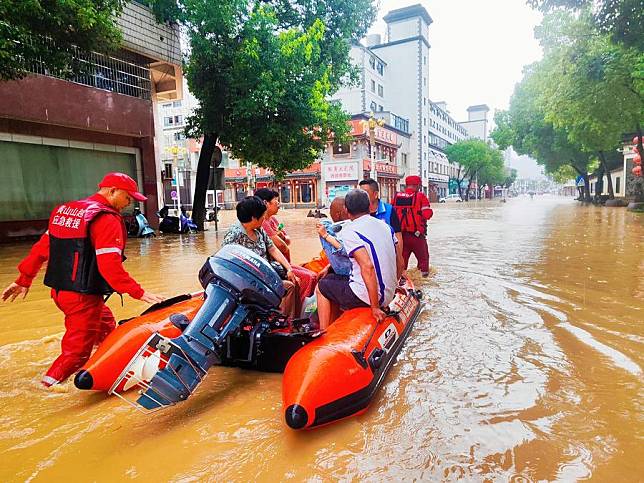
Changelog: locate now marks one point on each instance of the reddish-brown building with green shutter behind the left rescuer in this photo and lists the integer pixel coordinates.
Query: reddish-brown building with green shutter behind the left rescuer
(58, 137)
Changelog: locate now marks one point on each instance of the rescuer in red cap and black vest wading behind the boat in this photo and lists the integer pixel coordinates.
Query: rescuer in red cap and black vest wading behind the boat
(84, 245)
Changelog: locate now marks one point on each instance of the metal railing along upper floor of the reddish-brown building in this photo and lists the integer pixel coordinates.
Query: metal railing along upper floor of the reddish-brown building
(102, 72)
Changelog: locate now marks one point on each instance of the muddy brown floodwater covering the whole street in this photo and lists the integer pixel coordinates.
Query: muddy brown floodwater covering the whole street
(526, 365)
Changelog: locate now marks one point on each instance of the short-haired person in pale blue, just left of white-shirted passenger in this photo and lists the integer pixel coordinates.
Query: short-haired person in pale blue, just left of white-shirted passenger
(329, 231)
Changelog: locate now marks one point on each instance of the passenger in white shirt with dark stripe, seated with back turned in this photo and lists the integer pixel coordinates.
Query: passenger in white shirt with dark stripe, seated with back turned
(374, 269)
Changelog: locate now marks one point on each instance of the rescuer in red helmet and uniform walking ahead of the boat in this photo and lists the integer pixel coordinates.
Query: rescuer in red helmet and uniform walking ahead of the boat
(413, 210)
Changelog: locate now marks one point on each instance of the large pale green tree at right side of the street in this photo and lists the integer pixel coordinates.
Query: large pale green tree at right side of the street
(573, 107)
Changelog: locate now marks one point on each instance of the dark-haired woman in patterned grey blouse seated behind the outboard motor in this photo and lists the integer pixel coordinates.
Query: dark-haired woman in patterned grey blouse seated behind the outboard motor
(248, 232)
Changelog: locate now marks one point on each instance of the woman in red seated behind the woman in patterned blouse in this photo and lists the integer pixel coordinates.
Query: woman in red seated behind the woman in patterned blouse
(307, 278)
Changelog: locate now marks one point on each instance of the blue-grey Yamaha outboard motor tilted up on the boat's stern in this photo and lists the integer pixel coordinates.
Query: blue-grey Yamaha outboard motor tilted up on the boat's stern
(237, 283)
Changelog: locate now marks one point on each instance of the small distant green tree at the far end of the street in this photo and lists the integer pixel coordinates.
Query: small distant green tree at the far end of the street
(475, 158)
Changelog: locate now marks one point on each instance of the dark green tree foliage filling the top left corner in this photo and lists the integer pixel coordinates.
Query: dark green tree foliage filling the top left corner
(47, 33)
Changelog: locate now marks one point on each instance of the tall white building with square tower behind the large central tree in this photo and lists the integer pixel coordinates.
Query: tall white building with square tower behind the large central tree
(394, 76)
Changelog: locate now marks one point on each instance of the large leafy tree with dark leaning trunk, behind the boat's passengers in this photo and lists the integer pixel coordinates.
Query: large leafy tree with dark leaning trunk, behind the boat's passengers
(262, 72)
